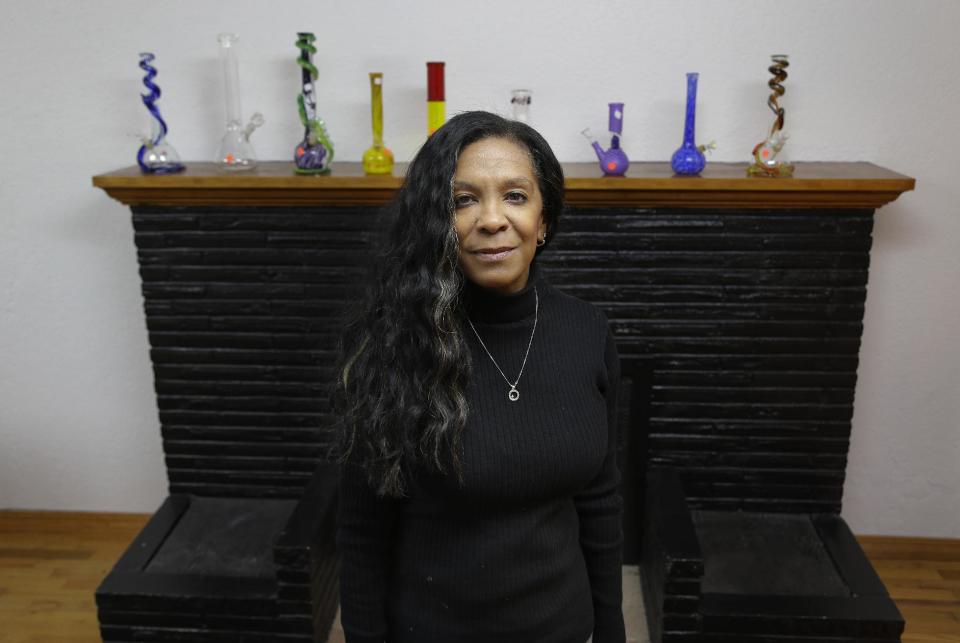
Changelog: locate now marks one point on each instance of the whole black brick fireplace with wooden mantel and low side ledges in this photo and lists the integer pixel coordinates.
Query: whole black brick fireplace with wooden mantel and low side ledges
(738, 310)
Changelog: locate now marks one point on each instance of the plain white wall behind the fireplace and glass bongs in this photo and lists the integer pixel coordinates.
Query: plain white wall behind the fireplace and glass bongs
(872, 81)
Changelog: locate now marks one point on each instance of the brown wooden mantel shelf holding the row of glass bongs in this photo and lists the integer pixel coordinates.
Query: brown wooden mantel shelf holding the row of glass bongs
(814, 185)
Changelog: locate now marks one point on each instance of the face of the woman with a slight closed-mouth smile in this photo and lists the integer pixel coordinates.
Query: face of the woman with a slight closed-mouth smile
(498, 206)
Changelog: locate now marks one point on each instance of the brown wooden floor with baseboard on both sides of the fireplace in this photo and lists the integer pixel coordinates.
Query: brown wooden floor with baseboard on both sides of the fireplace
(51, 562)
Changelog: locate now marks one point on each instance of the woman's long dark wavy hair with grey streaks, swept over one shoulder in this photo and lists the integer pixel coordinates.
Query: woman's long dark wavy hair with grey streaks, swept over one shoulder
(398, 400)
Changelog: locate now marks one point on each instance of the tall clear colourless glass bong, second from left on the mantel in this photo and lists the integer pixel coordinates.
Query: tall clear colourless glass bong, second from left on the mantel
(236, 151)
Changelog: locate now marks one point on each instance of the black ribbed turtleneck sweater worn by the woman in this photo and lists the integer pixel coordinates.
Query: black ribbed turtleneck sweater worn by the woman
(530, 549)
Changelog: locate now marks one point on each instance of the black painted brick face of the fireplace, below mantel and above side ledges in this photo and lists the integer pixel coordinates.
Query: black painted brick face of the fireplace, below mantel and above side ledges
(751, 322)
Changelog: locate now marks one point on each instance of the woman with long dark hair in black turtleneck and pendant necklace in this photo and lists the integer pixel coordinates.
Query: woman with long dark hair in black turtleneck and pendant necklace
(479, 499)
